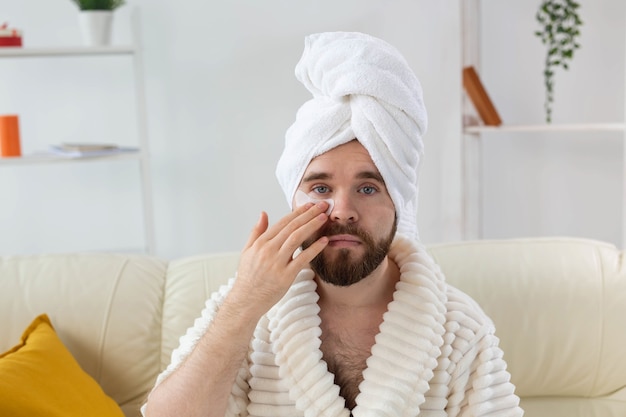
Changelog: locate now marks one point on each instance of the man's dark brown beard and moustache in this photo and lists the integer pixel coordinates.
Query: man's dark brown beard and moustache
(345, 269)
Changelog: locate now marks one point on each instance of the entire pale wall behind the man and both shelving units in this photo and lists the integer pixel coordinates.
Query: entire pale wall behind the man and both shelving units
(221, 92)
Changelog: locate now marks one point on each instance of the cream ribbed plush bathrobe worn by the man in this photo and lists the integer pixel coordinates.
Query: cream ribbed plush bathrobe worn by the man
(435, 355)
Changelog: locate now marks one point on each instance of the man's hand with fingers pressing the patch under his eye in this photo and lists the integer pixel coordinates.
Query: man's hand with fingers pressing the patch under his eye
(267, 267)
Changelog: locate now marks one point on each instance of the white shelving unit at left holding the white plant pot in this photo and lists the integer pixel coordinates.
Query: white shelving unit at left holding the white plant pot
(141, 156)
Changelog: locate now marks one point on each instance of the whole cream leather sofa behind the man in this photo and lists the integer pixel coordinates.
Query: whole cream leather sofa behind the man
(559, 305)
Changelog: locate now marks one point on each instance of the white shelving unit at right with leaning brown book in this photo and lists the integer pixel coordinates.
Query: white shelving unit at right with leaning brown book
(472, 195)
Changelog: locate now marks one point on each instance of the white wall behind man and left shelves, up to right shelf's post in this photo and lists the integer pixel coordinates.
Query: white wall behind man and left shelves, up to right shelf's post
(221, 93)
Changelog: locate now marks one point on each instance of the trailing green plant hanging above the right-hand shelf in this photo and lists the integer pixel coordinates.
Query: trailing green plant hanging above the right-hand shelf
(560, 28)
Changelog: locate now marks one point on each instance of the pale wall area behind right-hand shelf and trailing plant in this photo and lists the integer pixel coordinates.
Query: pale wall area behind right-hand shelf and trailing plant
(554, 183)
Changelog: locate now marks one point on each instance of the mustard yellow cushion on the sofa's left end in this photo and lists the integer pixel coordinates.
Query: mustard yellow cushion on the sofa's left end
(40, 377)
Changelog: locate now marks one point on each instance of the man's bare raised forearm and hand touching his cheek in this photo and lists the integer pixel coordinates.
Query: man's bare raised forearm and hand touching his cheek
(201, 385)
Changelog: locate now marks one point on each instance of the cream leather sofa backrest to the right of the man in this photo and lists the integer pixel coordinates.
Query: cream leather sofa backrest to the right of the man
(559, 306)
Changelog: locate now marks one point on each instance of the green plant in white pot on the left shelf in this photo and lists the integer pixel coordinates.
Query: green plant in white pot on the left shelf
(96, 19)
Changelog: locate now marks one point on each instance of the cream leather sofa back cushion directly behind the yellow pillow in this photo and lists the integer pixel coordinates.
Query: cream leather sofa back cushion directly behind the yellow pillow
(106, 309)
